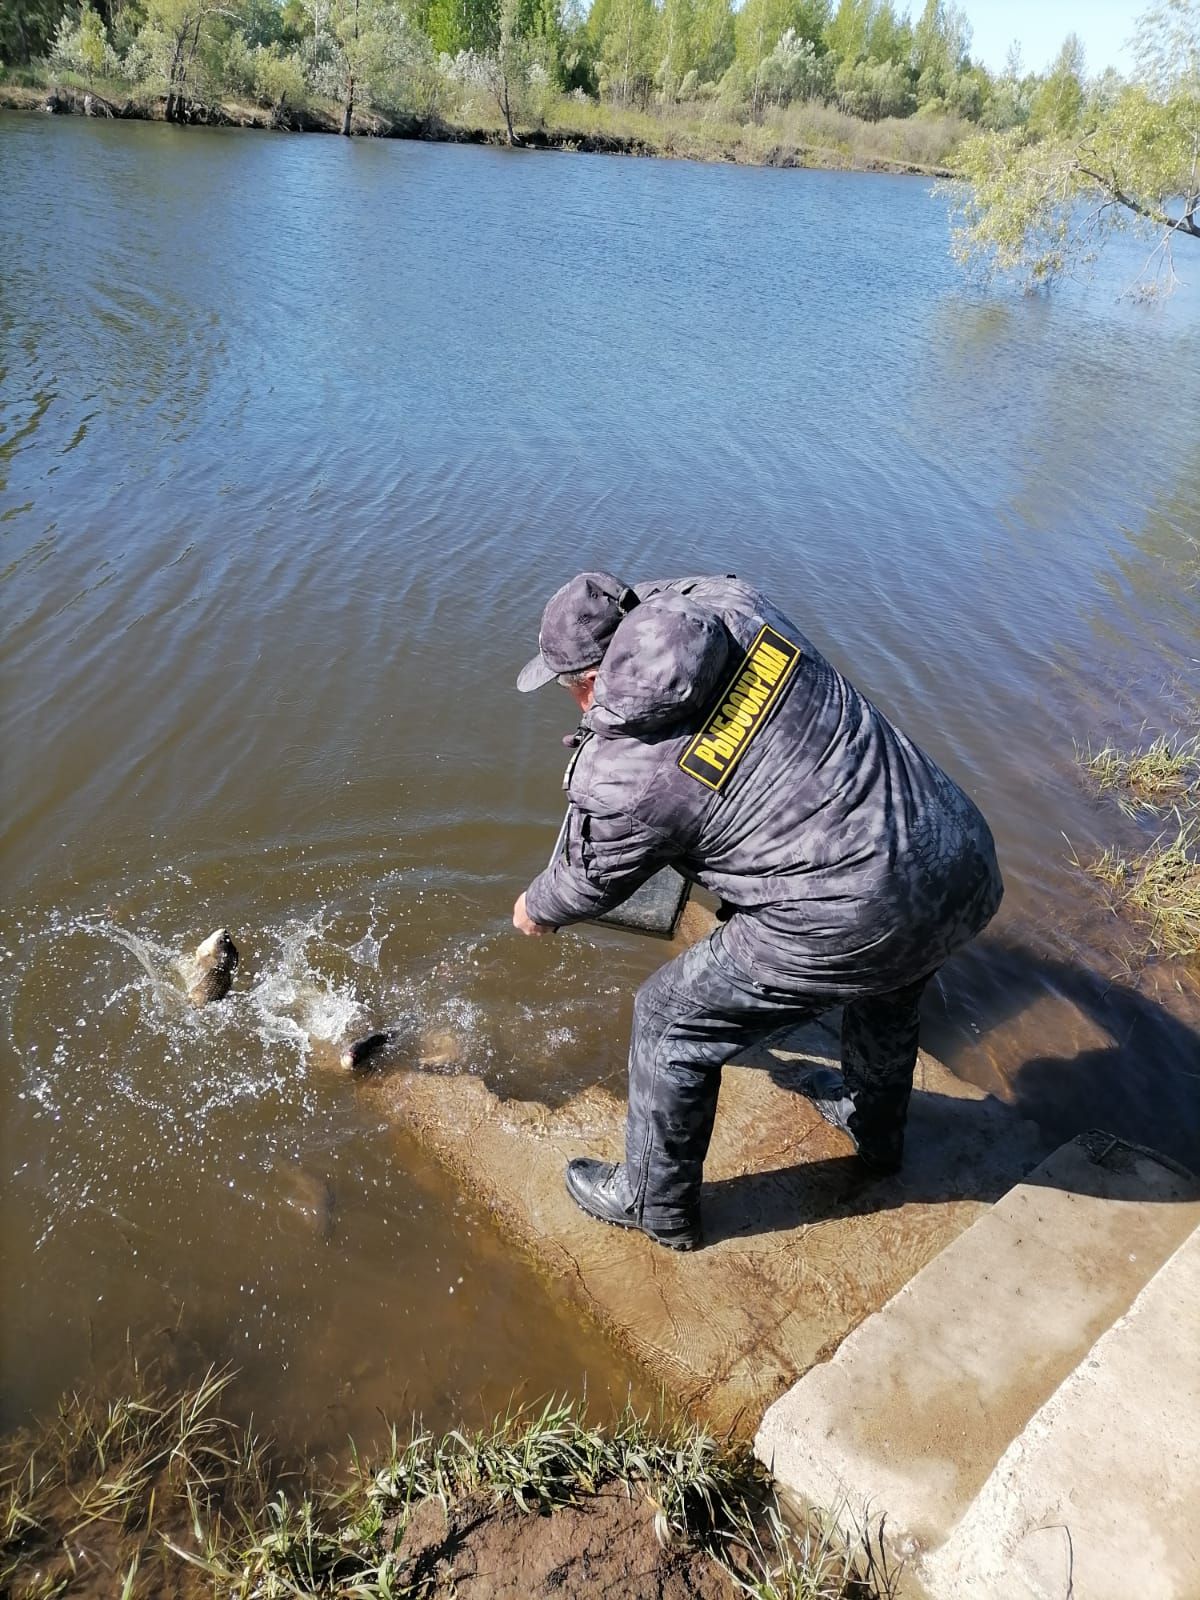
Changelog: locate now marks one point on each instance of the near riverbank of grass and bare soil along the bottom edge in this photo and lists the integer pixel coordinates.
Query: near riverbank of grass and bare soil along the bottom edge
(150, 1490)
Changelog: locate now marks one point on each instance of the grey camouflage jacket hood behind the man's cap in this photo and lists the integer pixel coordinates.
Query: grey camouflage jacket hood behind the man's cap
(662, 666)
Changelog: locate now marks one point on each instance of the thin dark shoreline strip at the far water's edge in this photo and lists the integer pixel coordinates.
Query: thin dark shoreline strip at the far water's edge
(68, 100)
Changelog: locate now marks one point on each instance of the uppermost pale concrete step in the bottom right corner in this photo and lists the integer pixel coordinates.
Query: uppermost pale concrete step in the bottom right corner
(1100, 1497)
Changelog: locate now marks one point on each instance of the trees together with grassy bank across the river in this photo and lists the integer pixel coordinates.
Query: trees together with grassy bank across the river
(839, 81)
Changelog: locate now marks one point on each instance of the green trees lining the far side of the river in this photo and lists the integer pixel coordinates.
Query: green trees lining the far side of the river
(866, 58)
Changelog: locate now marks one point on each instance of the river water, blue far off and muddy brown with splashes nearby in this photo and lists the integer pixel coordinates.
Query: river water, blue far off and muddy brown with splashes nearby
(297, 436)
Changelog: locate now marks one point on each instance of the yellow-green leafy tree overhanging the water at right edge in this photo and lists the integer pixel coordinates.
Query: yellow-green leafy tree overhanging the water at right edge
(1038, 207)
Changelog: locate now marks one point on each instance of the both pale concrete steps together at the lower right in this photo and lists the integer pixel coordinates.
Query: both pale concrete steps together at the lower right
(1026, 1410)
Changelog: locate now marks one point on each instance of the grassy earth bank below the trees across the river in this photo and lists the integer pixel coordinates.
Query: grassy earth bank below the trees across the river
(610, 134)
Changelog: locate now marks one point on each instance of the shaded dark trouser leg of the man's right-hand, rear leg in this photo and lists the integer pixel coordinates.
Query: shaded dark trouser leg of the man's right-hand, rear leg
(879, 1057)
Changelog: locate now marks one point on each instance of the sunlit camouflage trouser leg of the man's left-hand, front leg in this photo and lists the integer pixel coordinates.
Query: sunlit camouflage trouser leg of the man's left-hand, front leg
(689, 1020)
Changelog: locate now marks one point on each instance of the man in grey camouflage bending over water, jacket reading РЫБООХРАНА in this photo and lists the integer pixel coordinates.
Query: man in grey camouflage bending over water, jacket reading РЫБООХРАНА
(716, 738)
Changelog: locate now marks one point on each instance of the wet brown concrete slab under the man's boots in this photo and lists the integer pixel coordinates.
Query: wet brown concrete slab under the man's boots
(802, 1246)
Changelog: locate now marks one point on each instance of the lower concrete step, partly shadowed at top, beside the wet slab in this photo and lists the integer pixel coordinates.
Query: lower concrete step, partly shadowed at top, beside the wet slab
(922, 1401)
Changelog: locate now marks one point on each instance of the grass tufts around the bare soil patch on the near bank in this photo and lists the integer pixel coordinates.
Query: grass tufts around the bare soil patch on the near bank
(156, 1489)
